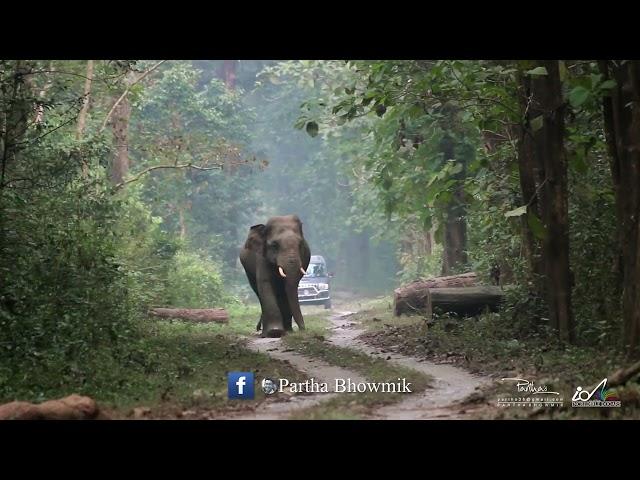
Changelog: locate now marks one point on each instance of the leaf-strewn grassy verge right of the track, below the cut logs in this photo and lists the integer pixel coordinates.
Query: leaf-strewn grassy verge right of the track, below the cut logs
(486, 345)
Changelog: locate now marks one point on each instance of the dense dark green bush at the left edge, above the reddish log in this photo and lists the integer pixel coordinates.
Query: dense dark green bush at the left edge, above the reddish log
(64, 294)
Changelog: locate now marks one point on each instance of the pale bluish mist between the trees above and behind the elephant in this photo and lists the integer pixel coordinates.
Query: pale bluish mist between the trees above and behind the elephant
(301, 179)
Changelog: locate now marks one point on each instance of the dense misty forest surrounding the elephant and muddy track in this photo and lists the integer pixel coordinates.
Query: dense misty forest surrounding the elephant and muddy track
(128, 185)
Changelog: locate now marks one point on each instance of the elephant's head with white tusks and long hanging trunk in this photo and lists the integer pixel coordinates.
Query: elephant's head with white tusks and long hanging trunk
(287, 253)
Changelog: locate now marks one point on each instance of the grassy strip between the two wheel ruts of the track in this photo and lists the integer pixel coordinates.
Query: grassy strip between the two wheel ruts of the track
(352, 405)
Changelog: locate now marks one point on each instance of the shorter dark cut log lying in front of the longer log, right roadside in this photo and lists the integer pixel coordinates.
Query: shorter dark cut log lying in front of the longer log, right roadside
(465, 301)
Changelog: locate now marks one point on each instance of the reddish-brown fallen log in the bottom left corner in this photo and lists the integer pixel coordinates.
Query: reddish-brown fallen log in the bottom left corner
(73, 407)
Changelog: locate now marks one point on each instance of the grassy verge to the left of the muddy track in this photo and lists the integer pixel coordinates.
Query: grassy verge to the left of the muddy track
(174, 366)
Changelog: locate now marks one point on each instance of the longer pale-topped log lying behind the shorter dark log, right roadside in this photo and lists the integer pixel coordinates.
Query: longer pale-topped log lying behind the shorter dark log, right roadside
(412, 298)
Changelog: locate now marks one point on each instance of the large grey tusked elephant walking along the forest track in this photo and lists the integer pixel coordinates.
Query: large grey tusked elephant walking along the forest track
(275, 256)
